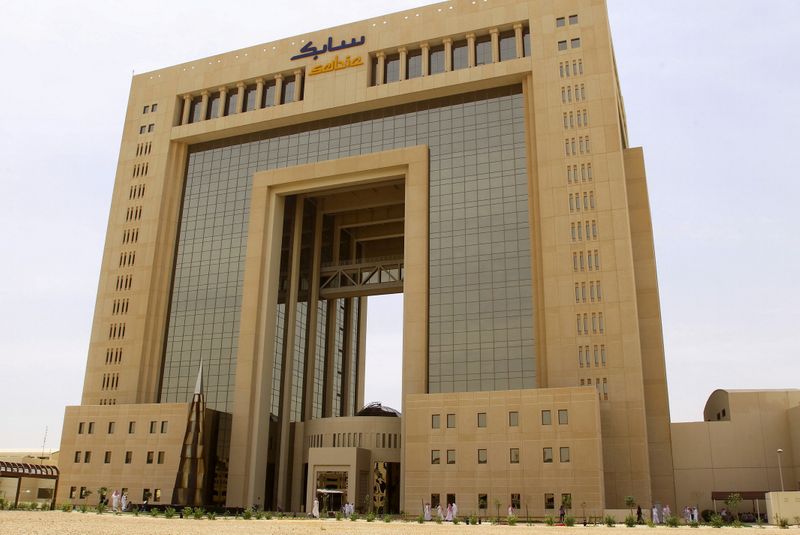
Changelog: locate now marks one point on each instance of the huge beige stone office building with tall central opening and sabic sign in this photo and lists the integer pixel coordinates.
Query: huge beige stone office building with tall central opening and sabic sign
(471, 155)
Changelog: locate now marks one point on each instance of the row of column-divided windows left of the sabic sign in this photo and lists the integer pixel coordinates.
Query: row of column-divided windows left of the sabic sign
(247, 97)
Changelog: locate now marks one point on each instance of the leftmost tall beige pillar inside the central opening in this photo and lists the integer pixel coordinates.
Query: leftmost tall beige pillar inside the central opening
(287, 371)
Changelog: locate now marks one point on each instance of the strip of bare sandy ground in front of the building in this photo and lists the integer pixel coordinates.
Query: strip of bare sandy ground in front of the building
(75, 523)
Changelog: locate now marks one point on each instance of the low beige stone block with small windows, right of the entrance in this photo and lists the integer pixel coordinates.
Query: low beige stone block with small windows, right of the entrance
(582, 476)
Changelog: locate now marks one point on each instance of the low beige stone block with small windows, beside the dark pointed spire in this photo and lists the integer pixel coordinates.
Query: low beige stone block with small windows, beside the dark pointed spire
(137, 475)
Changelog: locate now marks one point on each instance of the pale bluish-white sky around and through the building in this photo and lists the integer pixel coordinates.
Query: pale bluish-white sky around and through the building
(709, 93)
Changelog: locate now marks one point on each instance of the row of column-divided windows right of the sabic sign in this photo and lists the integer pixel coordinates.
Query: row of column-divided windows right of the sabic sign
(451, 55)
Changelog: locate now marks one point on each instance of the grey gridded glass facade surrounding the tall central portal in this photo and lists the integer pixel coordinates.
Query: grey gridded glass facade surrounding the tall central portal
(480, 321)
